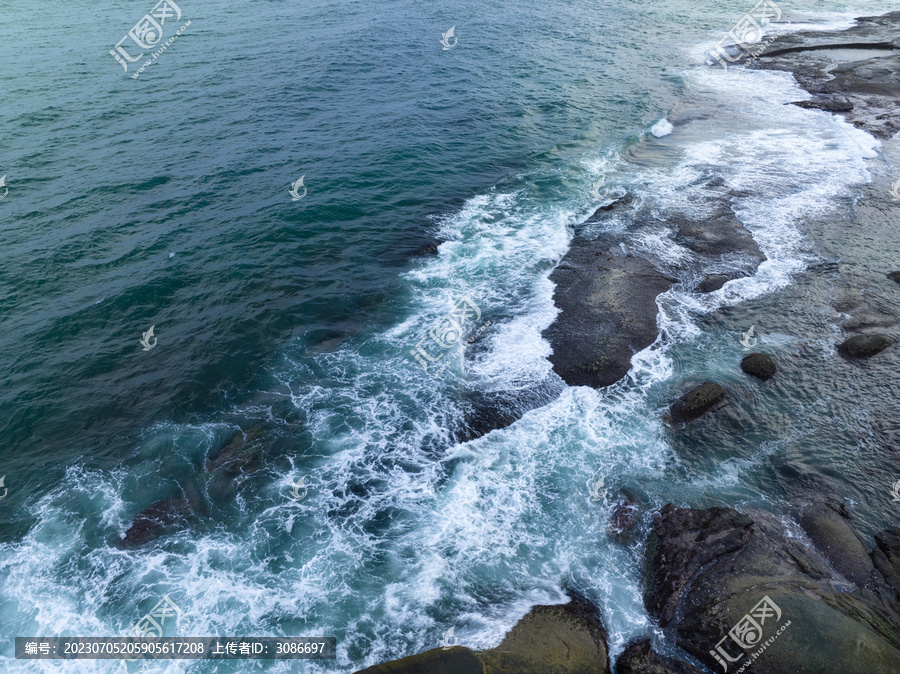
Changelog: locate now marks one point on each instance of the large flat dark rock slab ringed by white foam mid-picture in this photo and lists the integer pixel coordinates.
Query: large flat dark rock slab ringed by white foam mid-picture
(608, 313)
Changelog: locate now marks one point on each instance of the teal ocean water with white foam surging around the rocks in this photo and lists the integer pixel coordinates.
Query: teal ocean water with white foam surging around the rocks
(164, 201)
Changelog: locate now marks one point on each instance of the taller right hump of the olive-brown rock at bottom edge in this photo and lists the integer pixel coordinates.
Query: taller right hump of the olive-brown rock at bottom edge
(562, 639)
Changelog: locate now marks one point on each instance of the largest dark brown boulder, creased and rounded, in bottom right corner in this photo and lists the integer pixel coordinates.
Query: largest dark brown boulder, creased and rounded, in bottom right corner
(733, 588)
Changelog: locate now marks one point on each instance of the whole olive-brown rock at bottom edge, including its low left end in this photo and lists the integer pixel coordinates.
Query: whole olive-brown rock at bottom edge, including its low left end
(559, 639)
